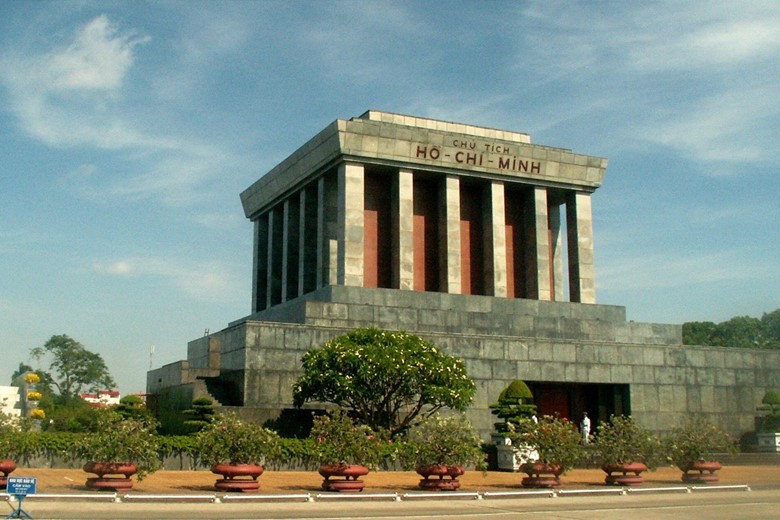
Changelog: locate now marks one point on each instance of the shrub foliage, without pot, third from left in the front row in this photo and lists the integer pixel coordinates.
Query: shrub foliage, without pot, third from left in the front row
(228, 439)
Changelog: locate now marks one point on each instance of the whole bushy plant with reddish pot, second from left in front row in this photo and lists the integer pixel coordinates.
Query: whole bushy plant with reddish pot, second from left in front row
(118, 446)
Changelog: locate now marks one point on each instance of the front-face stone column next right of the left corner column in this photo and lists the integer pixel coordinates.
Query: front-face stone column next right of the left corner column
(403, 228)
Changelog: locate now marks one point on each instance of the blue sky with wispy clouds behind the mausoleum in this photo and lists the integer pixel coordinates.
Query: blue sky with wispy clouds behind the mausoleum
(128, 130)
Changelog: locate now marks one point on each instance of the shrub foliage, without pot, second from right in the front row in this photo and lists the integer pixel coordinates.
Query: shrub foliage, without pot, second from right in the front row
(621, 441)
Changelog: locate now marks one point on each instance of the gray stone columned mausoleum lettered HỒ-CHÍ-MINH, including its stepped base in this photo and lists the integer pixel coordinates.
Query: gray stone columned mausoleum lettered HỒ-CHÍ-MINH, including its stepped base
(473, 238)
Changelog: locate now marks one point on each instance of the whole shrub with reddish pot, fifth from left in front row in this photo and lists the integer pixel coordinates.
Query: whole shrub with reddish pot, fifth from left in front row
(441, 447)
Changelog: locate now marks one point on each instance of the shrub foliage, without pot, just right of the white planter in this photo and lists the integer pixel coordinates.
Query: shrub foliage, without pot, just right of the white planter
(556, 440)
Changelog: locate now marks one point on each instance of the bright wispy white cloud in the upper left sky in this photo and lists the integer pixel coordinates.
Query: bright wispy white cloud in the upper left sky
(73, 96)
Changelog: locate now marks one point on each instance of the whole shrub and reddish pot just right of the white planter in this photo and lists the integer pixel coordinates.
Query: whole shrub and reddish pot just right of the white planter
(558, 444)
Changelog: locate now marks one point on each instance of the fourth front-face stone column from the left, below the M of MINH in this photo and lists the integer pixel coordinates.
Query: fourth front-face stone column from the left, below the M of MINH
(495, 226)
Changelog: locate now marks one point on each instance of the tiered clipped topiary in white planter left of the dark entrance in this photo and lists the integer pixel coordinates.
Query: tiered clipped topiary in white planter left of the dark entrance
(514, 405)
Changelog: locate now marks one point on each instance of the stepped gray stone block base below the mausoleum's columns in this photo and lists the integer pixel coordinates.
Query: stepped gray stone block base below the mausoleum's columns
(500, 340)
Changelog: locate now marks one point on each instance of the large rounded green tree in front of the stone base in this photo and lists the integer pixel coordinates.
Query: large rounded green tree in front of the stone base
(386, 379)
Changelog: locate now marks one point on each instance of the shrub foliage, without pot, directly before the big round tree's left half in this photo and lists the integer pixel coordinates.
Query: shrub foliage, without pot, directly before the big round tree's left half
(338, 440)
